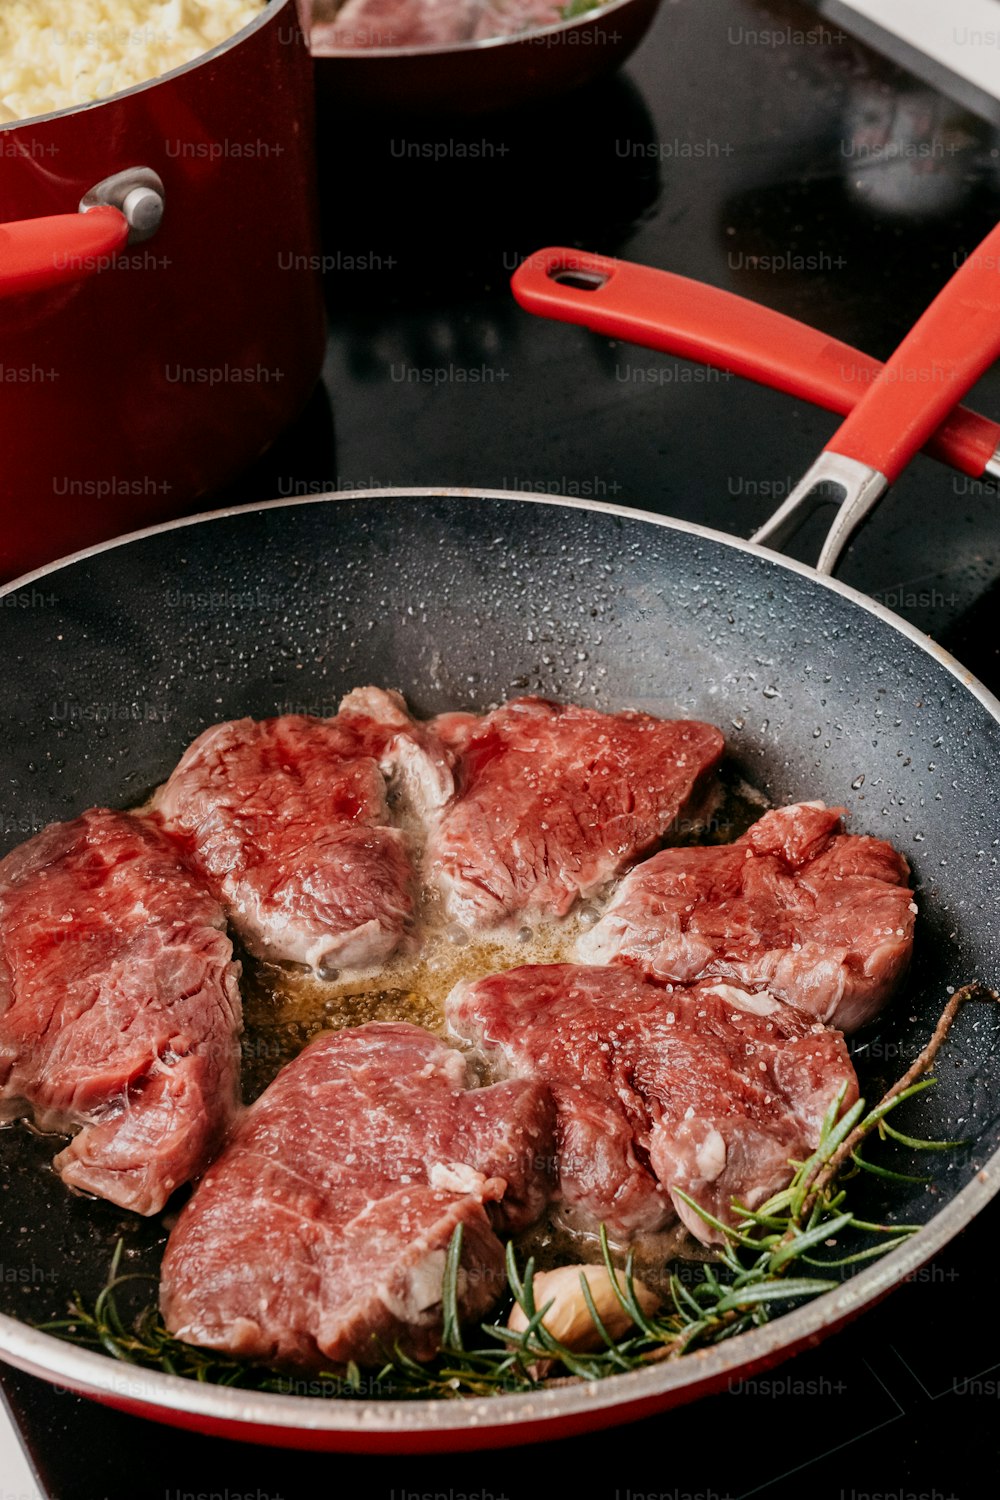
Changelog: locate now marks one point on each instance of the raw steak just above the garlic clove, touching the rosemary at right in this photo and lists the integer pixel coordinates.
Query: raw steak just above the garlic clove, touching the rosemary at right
(708, 1090)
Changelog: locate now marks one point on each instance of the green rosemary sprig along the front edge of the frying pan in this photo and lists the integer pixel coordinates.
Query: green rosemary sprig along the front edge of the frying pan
(761, 1267)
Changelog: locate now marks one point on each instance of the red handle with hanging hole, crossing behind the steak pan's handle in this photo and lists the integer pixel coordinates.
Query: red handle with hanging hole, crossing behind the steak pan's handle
(665, 311)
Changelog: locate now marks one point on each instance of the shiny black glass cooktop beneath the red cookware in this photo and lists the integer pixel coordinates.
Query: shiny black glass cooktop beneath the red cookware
(759, 149)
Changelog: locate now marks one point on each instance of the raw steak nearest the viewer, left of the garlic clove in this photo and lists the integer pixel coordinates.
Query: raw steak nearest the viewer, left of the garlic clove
(322, 1232)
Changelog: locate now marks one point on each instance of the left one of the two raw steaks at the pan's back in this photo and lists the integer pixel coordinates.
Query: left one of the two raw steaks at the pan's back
(289, 820)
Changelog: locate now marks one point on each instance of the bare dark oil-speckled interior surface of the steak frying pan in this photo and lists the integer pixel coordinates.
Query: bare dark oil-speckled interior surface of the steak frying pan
(118, 661)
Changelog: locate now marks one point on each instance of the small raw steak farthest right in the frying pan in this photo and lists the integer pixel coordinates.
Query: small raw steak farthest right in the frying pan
(821, 917)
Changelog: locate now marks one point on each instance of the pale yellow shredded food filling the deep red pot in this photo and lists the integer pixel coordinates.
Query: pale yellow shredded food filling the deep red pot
(62, 53)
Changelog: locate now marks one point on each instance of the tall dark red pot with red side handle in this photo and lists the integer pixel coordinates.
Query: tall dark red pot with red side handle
(143, 365)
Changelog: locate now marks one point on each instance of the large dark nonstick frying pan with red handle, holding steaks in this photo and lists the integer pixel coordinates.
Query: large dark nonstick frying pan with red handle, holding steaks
(119, 656)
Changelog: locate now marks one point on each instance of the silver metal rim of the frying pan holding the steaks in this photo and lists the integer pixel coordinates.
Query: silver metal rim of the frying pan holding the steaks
(154, 1391)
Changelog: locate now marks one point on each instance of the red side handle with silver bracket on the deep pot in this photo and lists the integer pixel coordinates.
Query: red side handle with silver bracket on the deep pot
(121, 211)
